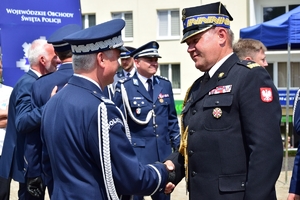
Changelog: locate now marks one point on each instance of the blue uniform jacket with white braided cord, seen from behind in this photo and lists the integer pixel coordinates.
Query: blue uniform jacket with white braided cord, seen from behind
(70, 131)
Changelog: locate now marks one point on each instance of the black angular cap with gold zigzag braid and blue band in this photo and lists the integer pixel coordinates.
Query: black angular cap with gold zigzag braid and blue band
(201, 18)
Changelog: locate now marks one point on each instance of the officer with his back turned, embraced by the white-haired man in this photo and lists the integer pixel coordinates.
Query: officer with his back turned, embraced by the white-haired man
(41, 93)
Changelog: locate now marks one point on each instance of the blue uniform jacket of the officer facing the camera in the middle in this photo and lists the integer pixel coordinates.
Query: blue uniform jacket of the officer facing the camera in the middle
(152, 141)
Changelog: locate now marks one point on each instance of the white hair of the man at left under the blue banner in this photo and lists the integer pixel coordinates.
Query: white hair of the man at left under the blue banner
(37, 49)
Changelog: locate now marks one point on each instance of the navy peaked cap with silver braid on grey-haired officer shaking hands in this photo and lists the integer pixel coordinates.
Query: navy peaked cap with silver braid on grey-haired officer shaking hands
(98, 38)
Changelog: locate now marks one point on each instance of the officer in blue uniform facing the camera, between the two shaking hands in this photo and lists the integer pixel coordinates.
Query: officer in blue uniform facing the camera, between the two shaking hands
(149, 109)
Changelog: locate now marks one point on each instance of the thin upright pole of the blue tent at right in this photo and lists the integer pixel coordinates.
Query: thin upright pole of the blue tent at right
(287, 112)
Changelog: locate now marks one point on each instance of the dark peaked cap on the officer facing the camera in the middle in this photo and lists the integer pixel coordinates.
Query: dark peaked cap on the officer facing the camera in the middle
(147, 50)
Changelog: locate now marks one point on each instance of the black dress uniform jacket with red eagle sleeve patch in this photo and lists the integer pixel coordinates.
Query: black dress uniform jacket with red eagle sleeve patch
(236, 153)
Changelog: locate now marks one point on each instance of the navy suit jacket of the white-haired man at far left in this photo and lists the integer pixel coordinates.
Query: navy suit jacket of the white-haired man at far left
(12, 162)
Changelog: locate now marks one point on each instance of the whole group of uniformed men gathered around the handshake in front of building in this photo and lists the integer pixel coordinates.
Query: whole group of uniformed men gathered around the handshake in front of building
(84, 131)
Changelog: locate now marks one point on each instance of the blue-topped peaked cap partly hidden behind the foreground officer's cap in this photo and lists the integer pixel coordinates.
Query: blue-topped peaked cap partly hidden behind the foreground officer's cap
(56, 39)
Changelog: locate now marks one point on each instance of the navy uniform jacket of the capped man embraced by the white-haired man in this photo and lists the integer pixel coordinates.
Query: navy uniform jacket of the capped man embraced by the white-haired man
(41, 91)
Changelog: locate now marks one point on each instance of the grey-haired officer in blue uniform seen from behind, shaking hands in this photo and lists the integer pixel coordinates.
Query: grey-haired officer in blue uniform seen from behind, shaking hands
(86, 136)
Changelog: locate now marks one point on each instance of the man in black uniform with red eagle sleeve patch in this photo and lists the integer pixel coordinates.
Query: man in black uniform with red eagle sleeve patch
(231, 146)
